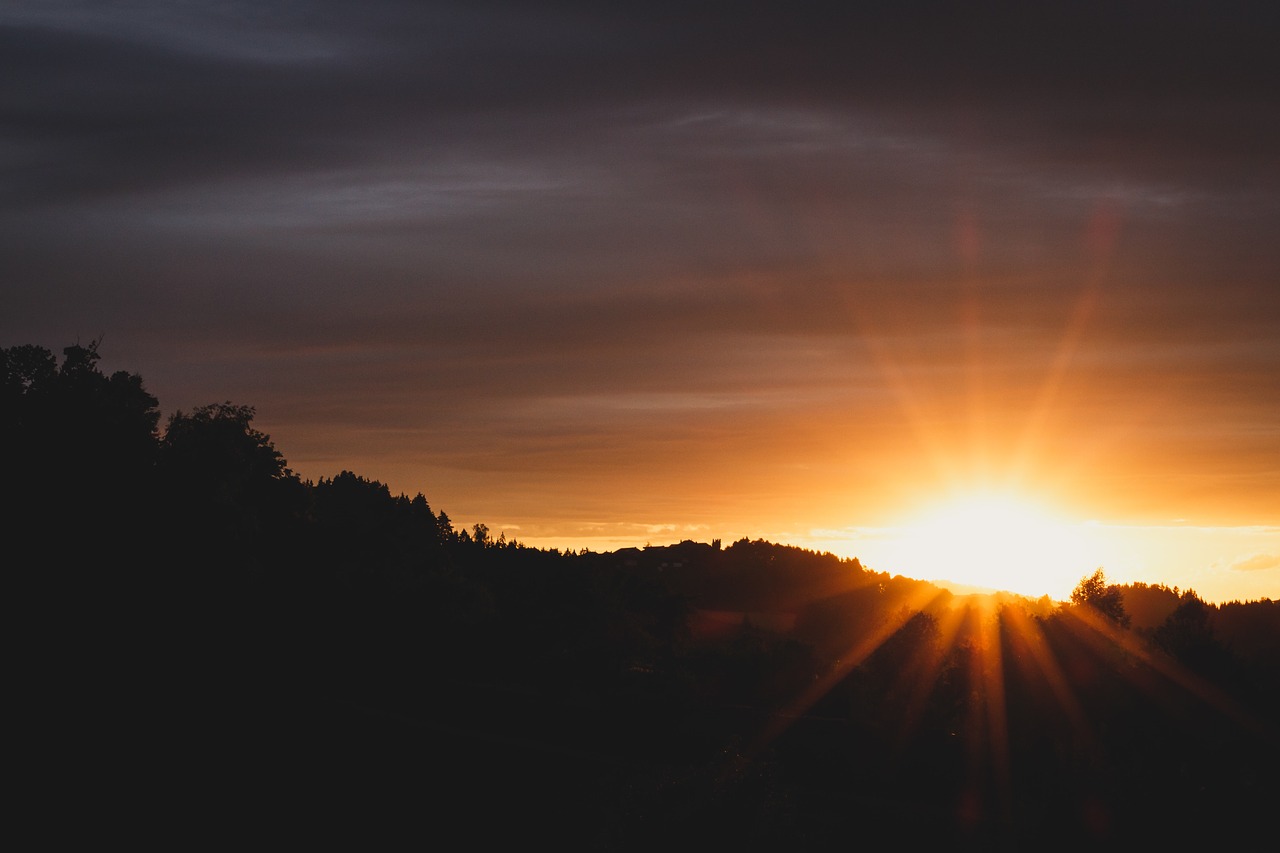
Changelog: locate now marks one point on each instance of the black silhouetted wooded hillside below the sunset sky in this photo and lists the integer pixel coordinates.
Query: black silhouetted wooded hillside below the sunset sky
(211, 646)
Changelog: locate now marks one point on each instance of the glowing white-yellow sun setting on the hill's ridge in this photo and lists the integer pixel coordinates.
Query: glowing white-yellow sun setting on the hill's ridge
(994, 540)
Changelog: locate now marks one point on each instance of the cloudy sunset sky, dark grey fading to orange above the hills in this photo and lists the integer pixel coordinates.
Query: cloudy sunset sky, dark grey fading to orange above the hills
(623, 275)
